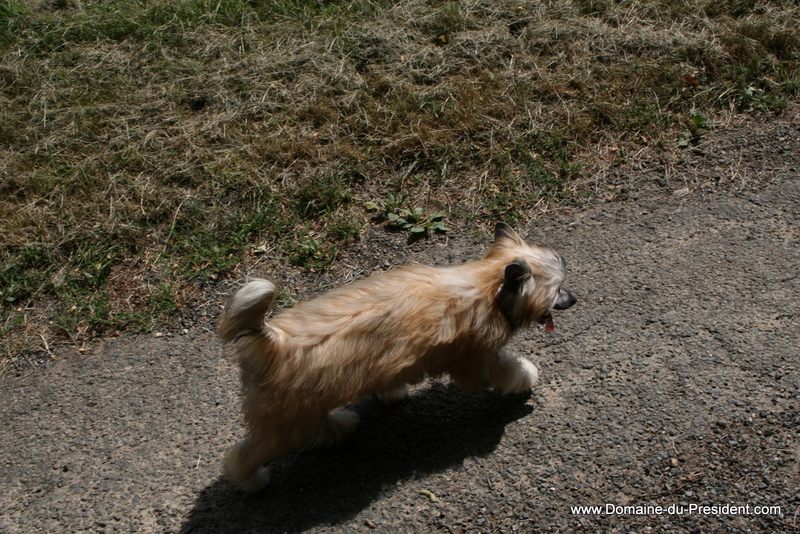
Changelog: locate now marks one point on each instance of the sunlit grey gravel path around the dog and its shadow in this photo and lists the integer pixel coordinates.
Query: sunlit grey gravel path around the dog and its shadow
(673, 383)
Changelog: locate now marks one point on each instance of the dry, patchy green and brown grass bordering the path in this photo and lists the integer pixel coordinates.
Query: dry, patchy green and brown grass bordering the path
(147, 146)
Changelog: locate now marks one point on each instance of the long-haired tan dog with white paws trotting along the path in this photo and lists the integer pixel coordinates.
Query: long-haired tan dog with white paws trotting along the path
(378, 335)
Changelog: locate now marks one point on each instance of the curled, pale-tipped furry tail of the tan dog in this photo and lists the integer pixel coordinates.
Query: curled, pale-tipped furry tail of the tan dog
(244, 313)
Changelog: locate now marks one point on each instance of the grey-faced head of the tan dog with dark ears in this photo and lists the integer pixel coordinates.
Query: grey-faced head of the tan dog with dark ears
(533, 279)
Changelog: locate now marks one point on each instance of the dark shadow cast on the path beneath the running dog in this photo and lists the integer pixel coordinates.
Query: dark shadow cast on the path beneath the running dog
(433, 430)
